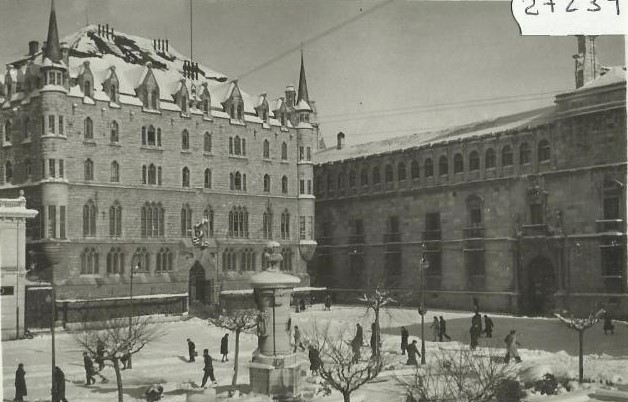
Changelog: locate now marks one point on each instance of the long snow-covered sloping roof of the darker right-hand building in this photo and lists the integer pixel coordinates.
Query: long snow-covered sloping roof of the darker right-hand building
(510, 122)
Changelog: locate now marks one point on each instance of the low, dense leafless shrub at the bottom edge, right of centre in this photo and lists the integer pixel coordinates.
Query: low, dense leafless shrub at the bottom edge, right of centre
(459, 374)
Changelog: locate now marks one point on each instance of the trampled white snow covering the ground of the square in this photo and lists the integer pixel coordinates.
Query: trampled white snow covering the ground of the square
(165, 360)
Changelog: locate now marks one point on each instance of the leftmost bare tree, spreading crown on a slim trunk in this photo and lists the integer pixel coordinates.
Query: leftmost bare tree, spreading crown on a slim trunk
(118, 339)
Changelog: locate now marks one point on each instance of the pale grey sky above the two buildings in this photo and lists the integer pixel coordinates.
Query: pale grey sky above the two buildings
(377, 69)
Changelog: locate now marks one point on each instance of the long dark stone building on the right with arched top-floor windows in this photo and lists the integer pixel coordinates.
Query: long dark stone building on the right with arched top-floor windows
(523, 213)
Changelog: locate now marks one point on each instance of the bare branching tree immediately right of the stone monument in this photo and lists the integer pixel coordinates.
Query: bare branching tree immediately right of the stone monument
(338, 369)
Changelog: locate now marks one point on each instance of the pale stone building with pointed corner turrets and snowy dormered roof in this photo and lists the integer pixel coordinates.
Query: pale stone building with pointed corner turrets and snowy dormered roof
(151, 171)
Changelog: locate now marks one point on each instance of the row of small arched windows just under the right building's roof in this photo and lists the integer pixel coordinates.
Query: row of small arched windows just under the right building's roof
(507, 159)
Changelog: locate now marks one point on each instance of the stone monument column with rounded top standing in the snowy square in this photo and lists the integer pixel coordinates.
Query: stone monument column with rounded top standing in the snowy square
(274, 370)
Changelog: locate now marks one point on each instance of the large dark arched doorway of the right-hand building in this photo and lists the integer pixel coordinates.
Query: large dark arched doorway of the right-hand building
(541, 286)
